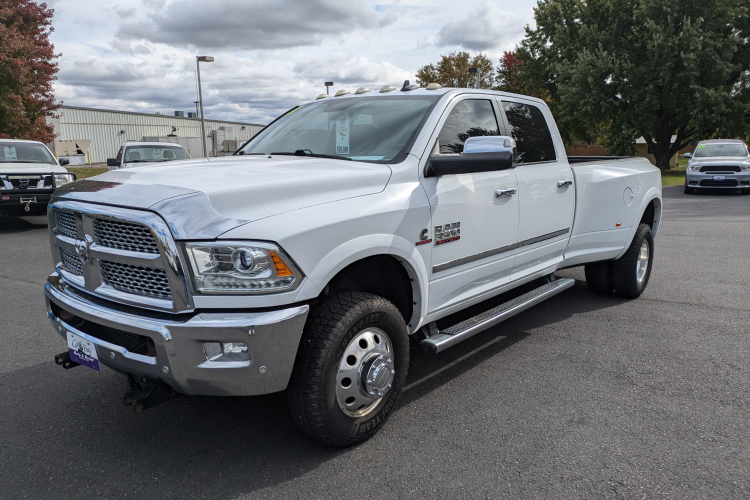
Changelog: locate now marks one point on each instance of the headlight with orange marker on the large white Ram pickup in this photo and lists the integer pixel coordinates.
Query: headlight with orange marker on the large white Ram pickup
(241, 267)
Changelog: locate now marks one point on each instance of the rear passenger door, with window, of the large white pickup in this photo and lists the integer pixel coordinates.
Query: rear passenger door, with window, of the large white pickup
(546, 187)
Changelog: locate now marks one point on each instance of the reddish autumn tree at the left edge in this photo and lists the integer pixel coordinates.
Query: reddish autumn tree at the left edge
(27, 70)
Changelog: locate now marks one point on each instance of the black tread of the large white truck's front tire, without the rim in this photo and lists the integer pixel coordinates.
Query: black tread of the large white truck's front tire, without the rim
(305, 395)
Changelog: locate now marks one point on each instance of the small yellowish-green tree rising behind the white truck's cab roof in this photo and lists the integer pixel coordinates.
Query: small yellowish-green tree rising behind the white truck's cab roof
(453, 71)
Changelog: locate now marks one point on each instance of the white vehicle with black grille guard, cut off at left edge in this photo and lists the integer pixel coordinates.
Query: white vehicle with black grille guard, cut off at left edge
(29, 174)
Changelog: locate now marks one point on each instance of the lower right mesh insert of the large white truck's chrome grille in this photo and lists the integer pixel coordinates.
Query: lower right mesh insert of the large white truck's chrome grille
(137, 280)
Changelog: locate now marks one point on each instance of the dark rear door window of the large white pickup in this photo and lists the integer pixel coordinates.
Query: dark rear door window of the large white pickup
(529, 129)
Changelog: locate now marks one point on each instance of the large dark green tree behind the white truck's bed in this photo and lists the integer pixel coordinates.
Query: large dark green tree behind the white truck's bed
(621, 69)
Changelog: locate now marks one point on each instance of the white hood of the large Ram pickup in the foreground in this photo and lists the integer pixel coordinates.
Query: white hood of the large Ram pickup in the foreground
(241, 188)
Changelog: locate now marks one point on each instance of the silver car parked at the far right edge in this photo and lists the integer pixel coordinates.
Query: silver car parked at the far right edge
(719, 163)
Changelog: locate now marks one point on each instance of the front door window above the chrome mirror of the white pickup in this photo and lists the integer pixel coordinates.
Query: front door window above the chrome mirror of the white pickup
(469, 118)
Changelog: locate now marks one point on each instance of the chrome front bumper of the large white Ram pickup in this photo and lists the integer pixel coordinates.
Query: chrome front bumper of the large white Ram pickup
(178, 357)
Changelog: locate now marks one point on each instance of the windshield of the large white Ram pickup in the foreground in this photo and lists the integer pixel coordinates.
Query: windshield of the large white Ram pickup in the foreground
(377, 129)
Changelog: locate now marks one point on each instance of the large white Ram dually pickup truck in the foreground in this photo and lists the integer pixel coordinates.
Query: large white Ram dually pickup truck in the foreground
(307, 260)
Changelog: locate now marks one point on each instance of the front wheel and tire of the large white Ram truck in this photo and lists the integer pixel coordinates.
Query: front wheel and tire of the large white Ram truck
(350, 368)
